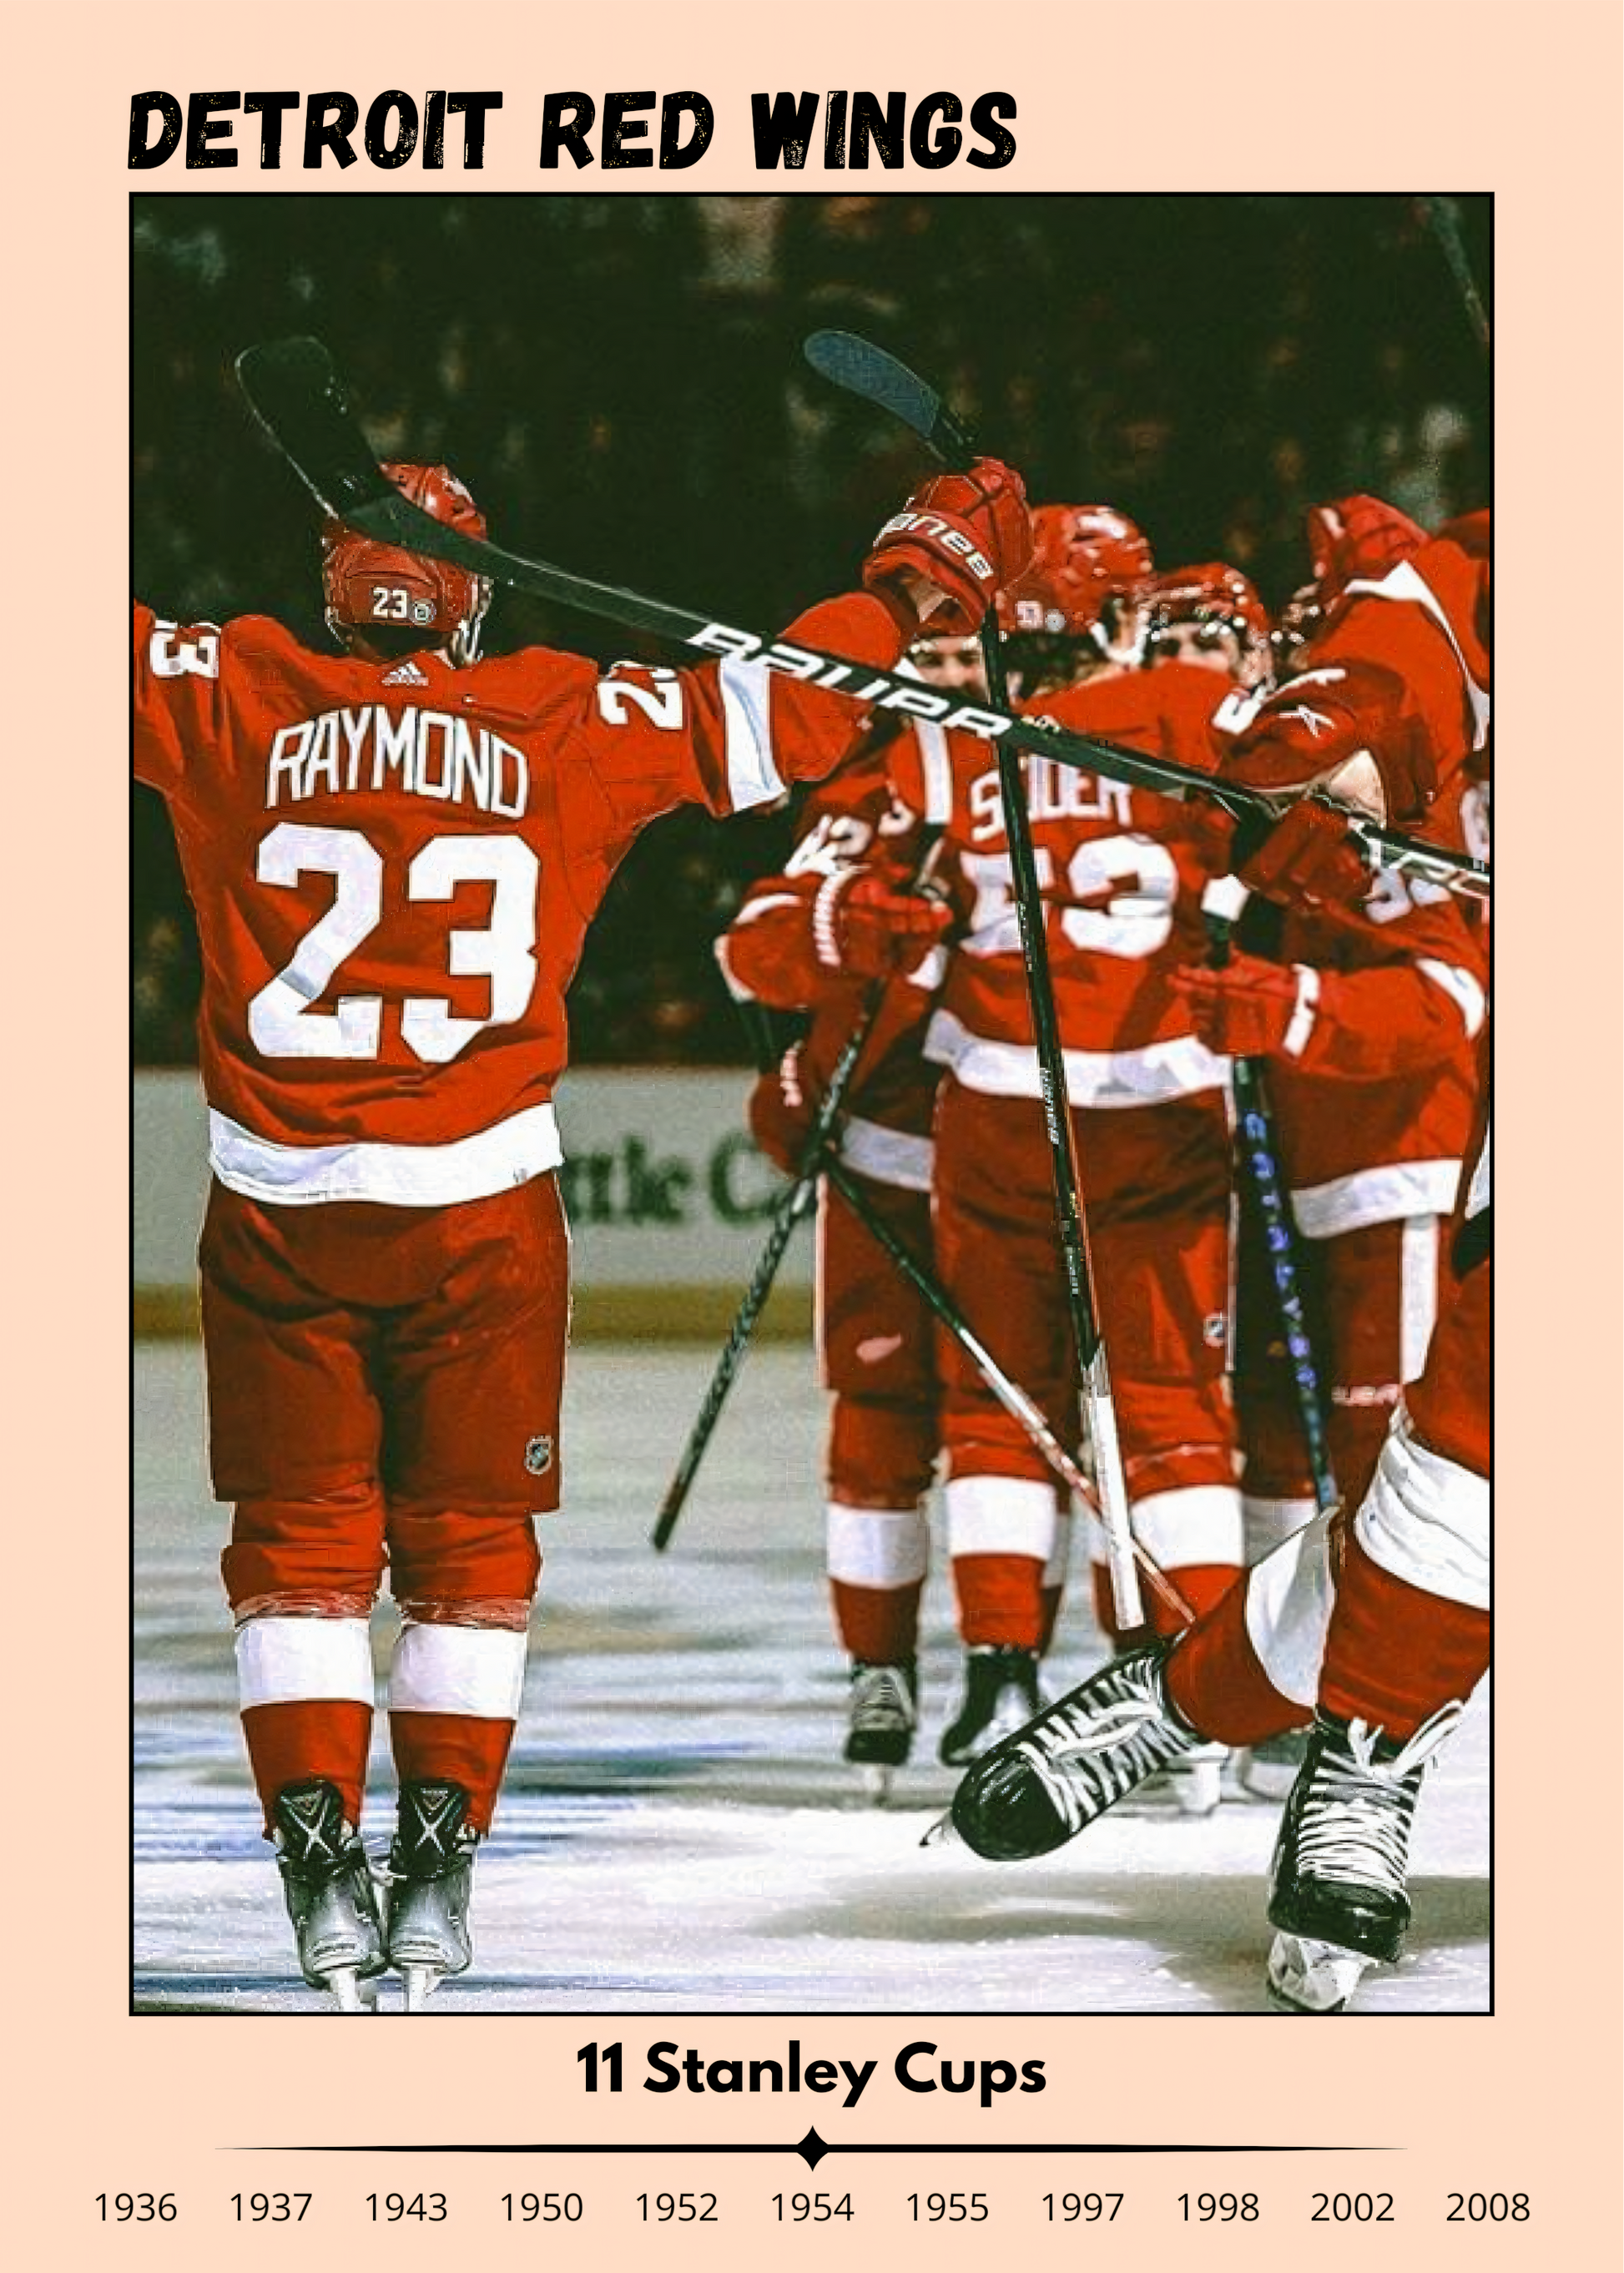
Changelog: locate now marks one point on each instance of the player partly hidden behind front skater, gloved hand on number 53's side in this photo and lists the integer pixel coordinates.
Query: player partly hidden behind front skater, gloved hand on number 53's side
(1366, 1022)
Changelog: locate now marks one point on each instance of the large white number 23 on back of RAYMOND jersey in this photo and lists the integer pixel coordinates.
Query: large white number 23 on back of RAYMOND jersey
(281, 1017)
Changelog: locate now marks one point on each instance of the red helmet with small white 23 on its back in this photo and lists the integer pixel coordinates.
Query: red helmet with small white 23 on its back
(388, 603)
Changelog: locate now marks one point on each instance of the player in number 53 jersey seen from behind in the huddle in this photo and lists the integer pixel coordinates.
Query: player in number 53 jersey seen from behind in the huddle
(1122, 874)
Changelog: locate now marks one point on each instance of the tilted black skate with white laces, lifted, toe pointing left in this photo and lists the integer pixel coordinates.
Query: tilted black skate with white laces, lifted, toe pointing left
(1075, 1760)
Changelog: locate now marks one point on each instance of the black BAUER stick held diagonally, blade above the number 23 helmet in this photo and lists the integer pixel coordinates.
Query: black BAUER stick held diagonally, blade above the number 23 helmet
(299, 399)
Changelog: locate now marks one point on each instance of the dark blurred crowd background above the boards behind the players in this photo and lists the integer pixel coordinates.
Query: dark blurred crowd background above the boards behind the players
(620, 383)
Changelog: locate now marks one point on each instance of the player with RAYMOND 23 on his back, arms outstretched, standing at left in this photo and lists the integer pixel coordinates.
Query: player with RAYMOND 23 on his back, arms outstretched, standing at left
(395, 856)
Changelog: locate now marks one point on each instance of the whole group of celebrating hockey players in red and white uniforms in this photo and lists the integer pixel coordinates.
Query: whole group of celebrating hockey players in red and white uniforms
(1275, 1101)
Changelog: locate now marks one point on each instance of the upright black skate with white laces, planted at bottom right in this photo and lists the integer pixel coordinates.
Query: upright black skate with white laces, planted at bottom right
(1341, 1897)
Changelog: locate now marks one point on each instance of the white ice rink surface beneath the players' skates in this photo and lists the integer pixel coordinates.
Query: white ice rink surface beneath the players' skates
(679, 1831)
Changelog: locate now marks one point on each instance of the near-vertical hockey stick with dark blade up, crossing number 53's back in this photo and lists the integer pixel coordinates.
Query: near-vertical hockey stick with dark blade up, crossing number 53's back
(879, 378)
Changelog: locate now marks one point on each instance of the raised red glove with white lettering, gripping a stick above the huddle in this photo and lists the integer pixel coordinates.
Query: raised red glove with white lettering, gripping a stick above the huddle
(968, 535)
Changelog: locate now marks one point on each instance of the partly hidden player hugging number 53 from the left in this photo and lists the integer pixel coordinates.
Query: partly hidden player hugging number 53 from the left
(836, 924)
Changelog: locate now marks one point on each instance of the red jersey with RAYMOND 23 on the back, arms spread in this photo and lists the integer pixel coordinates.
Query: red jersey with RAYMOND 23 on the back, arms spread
(395, 867)
